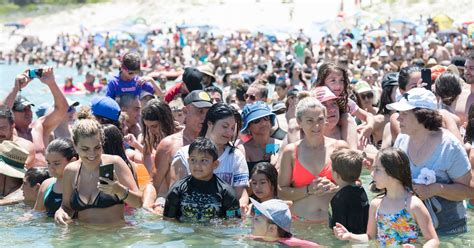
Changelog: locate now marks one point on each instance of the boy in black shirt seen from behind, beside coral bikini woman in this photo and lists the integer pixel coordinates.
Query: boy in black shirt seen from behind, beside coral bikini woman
(350, 205)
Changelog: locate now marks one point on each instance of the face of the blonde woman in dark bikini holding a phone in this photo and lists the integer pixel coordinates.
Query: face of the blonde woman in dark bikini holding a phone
(89, 149)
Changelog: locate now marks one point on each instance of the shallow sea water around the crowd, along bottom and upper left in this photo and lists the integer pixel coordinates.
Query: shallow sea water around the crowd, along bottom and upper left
(143, 229)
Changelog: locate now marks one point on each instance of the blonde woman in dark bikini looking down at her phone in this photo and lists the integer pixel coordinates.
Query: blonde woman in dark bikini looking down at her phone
(82, 194)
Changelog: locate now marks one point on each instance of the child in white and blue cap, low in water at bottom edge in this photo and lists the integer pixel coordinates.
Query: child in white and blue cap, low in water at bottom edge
(272, 222)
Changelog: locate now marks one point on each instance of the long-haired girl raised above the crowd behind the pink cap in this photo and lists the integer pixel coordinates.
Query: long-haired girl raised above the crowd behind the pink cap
(337, 80)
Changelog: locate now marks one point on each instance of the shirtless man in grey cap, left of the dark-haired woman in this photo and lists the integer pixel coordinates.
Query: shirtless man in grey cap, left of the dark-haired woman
(196, 105)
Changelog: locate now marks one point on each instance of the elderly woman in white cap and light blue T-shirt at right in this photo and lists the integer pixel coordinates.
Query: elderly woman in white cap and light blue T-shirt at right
(430, 147)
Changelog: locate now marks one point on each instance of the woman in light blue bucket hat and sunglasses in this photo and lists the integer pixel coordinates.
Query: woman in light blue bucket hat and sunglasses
(259, 145)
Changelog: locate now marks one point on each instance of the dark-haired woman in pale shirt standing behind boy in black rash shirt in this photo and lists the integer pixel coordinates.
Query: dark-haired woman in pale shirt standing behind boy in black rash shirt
(220, 127)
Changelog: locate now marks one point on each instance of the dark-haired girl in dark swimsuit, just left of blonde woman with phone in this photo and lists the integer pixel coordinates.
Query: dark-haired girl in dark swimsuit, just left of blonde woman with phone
(59, 153)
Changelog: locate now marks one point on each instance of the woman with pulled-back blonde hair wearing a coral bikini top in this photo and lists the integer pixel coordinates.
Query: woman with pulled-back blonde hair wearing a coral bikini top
(305, 169)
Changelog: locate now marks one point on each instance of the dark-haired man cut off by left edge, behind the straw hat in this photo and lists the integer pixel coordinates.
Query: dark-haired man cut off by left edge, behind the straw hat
(7, 125)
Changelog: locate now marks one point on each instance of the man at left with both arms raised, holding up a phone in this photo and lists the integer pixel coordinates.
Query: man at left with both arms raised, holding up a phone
(40, 131)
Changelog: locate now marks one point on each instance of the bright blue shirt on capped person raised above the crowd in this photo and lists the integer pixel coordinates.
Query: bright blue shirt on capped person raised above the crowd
(117, 86)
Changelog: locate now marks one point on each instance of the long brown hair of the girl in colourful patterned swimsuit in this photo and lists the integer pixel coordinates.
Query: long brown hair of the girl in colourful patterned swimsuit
(397, 165)
